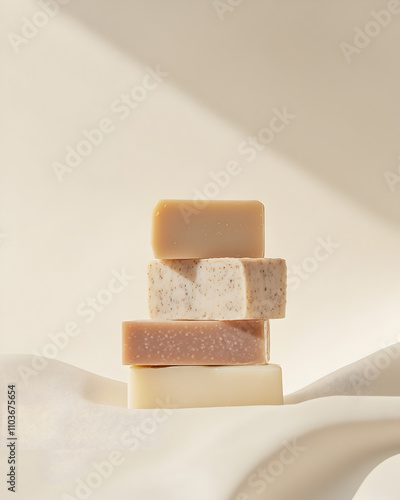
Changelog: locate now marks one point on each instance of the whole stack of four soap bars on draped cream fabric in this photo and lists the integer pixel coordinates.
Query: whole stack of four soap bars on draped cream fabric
(211, 296)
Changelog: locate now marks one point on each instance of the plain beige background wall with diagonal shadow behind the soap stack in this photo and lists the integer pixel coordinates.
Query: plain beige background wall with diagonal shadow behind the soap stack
(221, 79)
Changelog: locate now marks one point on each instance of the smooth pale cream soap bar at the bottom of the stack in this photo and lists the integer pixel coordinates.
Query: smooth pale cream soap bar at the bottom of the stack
(204, 386)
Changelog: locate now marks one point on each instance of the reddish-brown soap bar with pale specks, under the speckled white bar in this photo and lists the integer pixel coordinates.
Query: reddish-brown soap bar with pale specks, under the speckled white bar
(195, 342)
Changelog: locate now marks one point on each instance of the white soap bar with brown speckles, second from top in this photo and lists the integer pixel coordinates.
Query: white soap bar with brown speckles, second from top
(217, 289)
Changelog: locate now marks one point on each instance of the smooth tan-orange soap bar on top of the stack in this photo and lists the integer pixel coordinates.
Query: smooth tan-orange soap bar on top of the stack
(188, 229)
